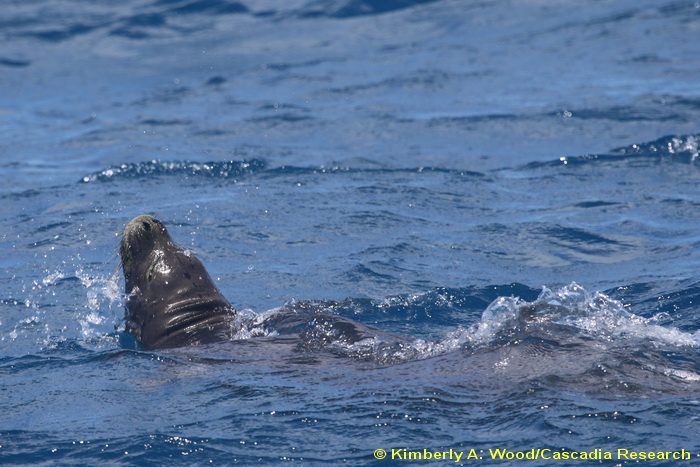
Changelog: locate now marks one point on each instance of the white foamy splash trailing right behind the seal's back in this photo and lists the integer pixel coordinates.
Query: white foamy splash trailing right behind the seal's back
(568, 313)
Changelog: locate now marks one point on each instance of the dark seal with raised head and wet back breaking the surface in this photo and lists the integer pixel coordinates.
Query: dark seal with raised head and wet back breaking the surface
(172, 302)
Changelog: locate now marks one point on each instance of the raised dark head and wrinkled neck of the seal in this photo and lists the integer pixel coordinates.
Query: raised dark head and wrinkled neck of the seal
(171, 300)
